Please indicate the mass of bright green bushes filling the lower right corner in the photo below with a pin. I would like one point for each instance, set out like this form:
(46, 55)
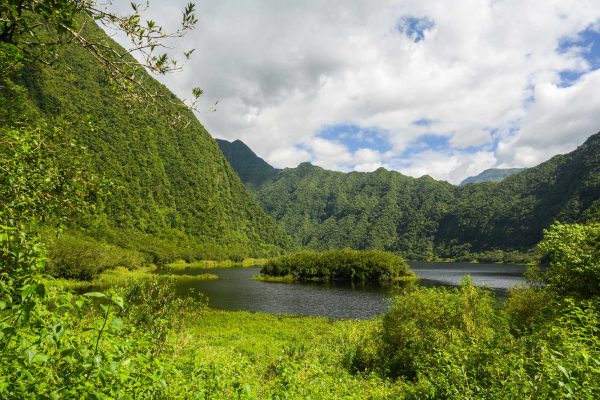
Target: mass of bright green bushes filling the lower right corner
(460, 343)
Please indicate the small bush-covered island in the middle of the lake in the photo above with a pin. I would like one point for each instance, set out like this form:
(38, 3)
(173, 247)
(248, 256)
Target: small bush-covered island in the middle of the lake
(352, 266)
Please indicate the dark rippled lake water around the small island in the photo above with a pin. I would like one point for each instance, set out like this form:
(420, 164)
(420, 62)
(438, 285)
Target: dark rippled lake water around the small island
(236, 291)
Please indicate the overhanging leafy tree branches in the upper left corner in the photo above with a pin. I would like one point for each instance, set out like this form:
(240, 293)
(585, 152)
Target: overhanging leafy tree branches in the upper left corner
(39, 27)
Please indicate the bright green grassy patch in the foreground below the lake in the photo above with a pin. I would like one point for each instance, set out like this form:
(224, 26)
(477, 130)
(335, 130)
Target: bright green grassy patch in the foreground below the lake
(264, 356)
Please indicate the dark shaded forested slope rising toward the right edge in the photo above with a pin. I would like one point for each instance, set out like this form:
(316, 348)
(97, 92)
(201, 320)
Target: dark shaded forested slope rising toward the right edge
(513, 213)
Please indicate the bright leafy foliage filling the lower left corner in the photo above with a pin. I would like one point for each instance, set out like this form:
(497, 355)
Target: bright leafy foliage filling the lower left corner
(57, 345)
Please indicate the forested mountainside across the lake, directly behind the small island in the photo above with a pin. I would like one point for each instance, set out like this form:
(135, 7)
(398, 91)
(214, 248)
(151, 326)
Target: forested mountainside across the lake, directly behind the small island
(381, 210)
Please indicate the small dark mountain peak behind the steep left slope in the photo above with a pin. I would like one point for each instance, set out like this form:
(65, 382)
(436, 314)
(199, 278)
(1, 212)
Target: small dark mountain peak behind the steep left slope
(251, 169)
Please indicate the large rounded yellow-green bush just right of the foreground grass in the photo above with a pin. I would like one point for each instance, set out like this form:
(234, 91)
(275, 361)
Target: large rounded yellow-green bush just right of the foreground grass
(426, 321)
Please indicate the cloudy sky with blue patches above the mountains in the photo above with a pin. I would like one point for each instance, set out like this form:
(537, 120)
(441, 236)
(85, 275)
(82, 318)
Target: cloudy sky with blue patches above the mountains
(442, 88)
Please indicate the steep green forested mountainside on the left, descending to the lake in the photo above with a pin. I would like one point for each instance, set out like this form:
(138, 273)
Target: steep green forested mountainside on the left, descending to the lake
(172, 191)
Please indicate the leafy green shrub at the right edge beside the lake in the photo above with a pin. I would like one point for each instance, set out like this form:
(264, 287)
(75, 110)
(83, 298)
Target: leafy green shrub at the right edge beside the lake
(573, 252)
